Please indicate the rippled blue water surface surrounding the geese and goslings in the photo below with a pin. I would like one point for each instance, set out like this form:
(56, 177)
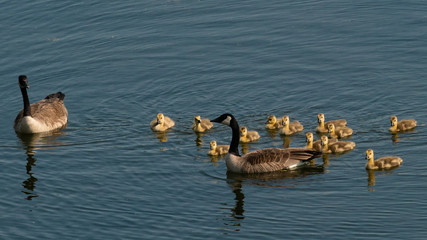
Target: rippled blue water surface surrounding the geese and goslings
(108, 176)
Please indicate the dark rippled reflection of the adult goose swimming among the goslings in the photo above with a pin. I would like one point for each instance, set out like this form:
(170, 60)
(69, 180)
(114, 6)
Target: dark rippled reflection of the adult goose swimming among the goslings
(273, 179)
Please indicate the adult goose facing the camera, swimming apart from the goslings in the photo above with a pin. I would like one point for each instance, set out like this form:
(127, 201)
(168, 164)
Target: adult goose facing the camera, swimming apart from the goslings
(45, 115)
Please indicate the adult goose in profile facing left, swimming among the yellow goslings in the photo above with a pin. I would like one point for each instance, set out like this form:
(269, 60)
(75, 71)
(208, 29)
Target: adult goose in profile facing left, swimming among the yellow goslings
(263, 160)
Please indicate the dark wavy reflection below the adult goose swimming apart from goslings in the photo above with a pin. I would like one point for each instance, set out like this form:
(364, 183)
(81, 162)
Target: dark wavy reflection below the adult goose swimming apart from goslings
(31, 143)
